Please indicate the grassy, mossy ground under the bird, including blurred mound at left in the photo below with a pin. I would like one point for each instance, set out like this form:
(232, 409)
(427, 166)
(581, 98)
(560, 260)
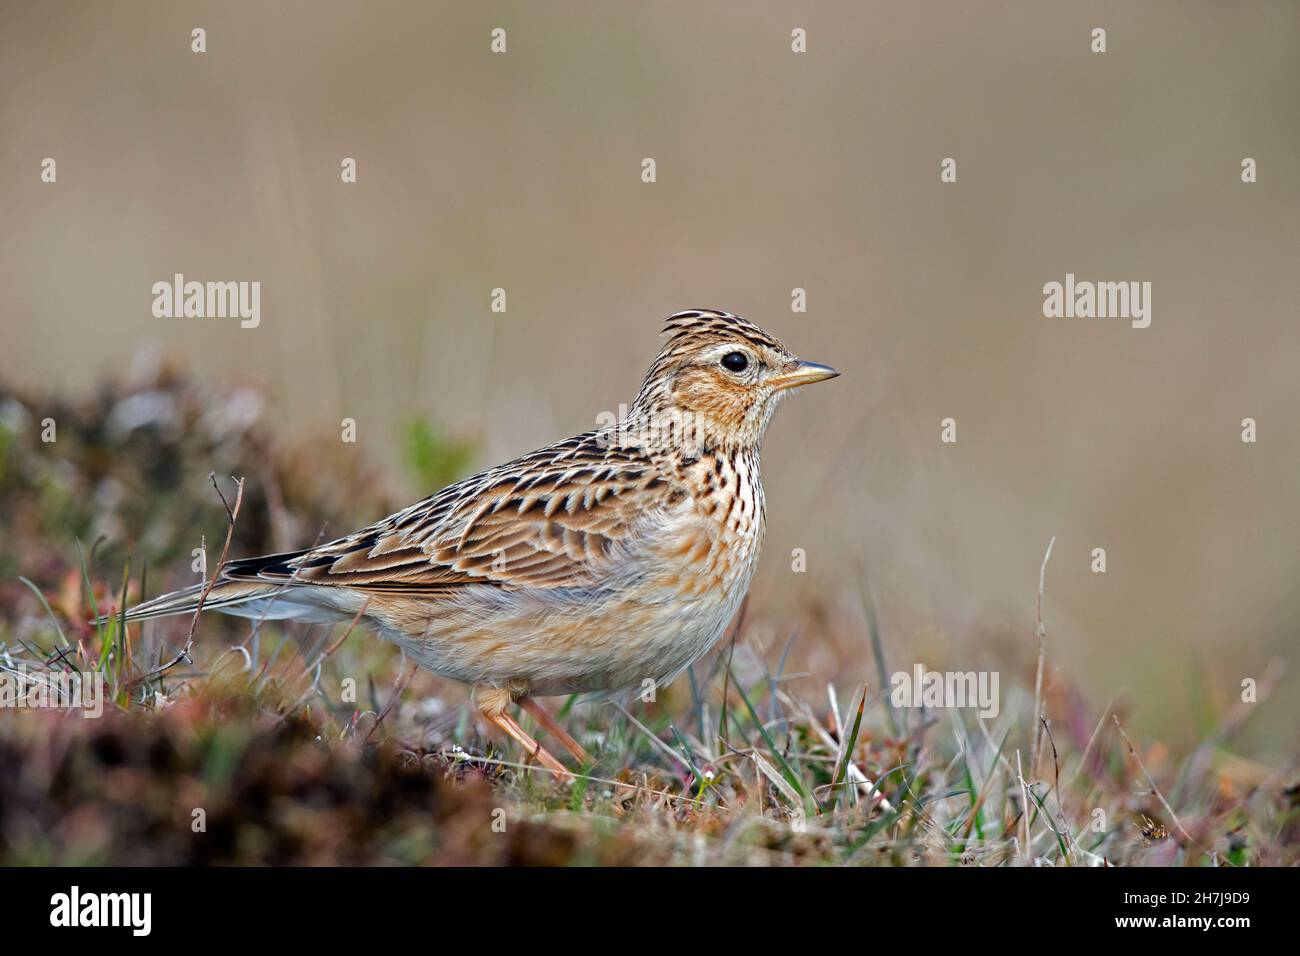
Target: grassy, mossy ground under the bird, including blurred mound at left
(298, 745)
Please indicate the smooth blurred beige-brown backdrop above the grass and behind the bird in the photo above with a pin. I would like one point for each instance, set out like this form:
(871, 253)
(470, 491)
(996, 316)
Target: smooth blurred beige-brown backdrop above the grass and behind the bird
(775, 171)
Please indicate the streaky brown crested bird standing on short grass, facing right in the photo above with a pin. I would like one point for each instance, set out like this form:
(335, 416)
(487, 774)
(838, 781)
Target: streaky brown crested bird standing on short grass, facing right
(600, 565)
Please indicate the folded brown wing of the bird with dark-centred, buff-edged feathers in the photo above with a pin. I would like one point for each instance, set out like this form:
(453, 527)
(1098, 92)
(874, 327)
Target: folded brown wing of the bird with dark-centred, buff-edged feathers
(557, 518)
